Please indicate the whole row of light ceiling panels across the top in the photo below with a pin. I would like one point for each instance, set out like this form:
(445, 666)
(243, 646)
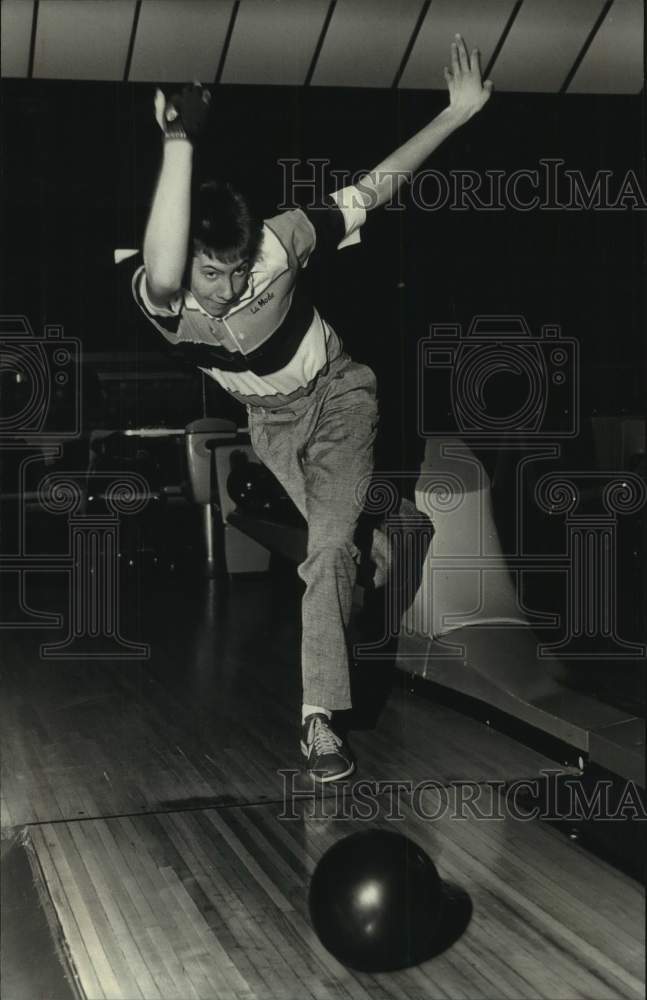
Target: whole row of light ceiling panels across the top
(273, 41)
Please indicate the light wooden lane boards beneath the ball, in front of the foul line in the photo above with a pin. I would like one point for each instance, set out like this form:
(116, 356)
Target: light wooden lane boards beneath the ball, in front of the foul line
(213, 903)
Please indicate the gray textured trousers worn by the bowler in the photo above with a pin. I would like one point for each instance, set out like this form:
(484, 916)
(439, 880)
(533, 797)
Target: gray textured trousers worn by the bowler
(321, 451)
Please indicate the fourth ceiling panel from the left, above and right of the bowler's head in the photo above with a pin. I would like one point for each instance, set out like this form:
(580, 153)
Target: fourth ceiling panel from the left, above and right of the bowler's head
(274, 41)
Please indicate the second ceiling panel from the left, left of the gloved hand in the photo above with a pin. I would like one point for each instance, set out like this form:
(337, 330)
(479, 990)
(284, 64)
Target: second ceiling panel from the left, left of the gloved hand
(83, 39)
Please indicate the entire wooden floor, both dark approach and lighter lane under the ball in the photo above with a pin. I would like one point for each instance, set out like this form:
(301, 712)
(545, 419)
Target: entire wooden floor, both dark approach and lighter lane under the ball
(153, 798)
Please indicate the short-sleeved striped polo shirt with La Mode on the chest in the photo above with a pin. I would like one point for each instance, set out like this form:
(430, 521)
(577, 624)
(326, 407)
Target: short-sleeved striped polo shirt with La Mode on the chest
(268, 349)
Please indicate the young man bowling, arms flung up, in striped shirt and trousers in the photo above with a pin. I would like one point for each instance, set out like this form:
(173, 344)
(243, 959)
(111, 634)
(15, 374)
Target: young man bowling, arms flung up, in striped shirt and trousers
(221, 287)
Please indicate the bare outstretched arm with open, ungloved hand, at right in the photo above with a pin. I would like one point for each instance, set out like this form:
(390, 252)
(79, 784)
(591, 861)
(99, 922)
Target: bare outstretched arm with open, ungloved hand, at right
(467, 95)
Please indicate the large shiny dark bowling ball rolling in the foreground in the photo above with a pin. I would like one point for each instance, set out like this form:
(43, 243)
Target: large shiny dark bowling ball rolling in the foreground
(377, 902)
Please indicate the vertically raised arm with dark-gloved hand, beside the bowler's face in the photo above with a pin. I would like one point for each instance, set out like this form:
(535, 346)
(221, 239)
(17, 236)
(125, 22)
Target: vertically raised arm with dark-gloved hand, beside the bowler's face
(167, 232)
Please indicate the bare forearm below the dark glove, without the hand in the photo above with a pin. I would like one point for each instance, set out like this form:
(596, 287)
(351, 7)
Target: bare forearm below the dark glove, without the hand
(167, 232)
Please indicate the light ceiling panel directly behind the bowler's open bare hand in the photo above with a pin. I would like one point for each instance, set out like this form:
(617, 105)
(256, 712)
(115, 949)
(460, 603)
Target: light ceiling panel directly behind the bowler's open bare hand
(481, 25)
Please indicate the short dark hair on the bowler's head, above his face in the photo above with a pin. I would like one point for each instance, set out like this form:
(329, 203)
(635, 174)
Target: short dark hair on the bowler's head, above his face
(224, 224)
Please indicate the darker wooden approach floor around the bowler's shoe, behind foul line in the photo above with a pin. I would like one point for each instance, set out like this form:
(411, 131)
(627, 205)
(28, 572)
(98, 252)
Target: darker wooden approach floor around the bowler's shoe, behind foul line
(210, 719)
